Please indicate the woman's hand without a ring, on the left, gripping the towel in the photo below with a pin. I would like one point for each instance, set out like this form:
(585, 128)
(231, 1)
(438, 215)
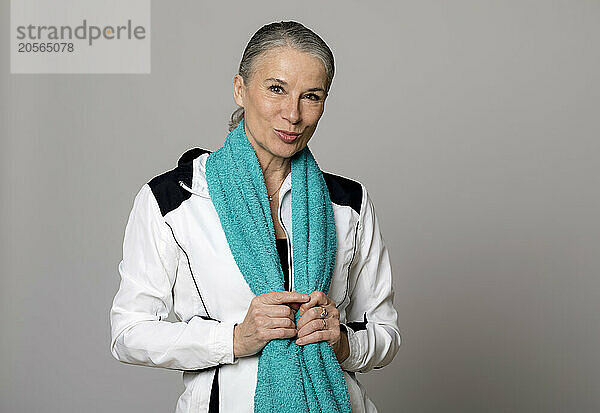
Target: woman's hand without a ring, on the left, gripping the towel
(268, 317)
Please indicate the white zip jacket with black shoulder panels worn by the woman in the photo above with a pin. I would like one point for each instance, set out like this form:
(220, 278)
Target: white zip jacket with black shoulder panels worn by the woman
(176, 256)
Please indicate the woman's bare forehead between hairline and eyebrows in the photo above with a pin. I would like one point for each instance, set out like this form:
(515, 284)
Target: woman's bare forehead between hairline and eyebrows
(291, 66)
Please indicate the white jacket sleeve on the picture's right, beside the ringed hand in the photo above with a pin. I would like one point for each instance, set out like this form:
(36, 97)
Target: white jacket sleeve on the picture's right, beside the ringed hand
(373, 334)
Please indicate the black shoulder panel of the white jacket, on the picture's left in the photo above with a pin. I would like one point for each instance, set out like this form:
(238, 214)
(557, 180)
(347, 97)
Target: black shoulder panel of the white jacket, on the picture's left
(165, 187)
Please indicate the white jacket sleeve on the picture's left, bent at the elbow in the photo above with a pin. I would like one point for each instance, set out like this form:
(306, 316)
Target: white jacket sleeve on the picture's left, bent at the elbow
(139, 334)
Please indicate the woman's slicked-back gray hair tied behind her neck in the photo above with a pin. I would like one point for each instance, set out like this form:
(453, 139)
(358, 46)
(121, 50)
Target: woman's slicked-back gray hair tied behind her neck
(277, 34)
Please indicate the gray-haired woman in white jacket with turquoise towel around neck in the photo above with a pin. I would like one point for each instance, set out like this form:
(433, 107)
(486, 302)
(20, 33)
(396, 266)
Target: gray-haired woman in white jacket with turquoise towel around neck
(275, 270)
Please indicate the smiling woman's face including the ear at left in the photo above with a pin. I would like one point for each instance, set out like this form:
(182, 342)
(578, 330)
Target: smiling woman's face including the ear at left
(286, 93)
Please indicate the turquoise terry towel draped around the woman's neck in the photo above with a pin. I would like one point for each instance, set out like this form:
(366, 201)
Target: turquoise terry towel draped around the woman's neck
(290, 378)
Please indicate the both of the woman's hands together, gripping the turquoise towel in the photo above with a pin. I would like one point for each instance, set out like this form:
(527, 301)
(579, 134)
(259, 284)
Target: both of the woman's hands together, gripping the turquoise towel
(272, 315)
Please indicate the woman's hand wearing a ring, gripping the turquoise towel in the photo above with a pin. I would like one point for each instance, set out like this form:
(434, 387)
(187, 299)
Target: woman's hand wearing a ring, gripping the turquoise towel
(312, 329)
